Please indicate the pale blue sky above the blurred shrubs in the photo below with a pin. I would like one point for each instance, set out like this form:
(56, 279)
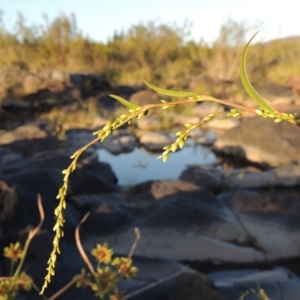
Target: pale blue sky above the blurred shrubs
(98, 19)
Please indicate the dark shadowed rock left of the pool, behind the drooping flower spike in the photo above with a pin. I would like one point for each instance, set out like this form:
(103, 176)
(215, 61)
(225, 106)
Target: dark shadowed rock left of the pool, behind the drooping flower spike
(42, 174)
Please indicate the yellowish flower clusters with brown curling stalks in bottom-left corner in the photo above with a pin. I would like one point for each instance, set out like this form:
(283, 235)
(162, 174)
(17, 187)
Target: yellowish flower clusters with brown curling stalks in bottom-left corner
(103, 281)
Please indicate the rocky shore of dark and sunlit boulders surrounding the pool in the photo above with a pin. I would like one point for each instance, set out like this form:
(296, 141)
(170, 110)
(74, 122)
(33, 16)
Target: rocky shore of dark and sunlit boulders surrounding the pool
(220, 230)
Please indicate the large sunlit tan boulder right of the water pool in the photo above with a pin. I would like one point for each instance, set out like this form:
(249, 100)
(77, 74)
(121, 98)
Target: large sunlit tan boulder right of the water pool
(262, 141)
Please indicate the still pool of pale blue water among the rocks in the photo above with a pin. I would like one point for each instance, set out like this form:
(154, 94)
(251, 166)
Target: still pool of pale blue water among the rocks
(140, 165)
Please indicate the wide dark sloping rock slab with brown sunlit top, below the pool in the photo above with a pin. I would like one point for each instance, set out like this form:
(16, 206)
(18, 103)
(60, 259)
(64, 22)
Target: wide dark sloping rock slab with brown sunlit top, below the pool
(177, 221)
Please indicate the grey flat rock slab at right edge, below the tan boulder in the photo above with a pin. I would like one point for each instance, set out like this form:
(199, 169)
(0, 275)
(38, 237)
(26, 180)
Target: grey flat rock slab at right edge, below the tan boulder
(273, 221)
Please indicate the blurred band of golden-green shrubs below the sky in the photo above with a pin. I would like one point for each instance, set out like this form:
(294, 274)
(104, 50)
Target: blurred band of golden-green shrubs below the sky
(164, 54)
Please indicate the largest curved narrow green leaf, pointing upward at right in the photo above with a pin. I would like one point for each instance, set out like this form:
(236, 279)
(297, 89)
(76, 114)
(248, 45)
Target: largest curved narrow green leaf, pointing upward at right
(247, 84)
